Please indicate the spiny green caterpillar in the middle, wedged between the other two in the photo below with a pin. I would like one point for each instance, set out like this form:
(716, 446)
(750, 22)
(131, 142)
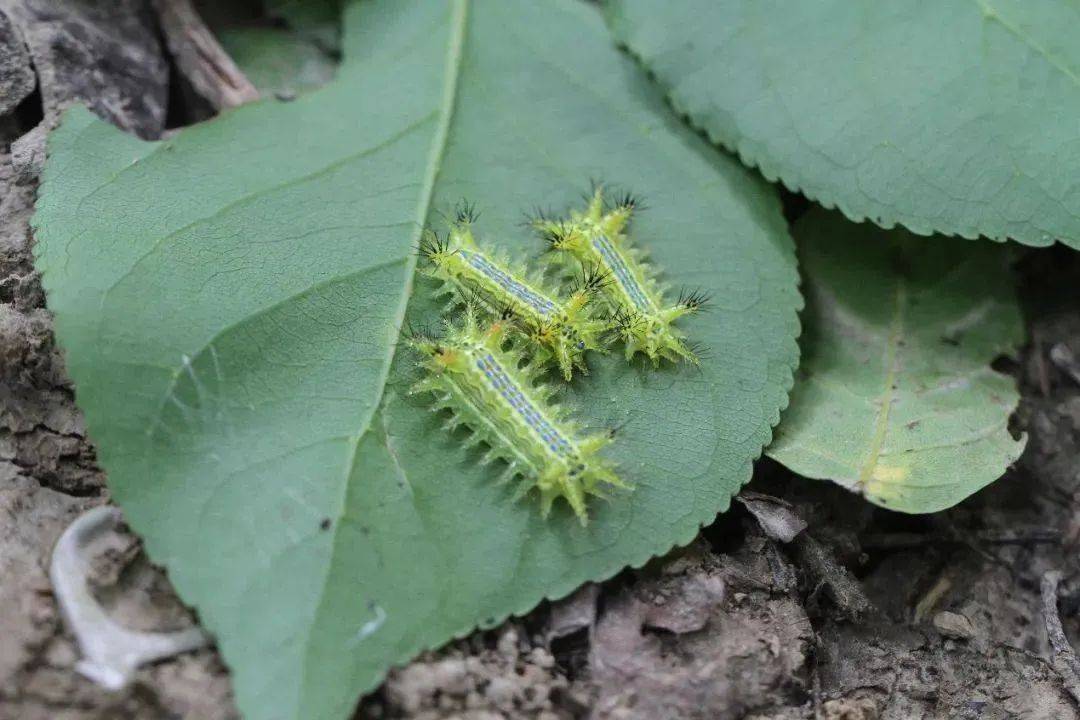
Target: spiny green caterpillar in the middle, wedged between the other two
(562, 330)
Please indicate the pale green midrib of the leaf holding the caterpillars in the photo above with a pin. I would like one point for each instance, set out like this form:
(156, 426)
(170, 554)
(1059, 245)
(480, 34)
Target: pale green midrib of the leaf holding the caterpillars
(454, 56)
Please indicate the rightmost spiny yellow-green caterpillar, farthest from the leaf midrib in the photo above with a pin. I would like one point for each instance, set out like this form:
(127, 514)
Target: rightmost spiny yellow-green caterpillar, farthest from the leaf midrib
(639, 313)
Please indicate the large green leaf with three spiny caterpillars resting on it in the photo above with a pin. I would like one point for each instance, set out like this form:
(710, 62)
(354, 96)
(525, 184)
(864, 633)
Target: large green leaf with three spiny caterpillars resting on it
(229, 301)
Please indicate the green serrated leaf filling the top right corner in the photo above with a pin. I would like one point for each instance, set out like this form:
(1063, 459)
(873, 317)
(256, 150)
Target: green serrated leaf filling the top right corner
(961, 117)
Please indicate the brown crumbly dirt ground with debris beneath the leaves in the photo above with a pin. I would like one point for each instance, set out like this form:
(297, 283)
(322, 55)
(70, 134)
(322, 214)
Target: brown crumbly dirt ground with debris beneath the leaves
(865, 615)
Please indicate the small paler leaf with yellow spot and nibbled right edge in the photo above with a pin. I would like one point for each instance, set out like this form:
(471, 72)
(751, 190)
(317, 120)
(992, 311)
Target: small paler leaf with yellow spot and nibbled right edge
(896, 398)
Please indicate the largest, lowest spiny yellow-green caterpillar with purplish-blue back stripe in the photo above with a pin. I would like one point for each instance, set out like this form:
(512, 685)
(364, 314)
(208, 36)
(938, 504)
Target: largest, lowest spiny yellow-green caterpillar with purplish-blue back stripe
(489, 391)
